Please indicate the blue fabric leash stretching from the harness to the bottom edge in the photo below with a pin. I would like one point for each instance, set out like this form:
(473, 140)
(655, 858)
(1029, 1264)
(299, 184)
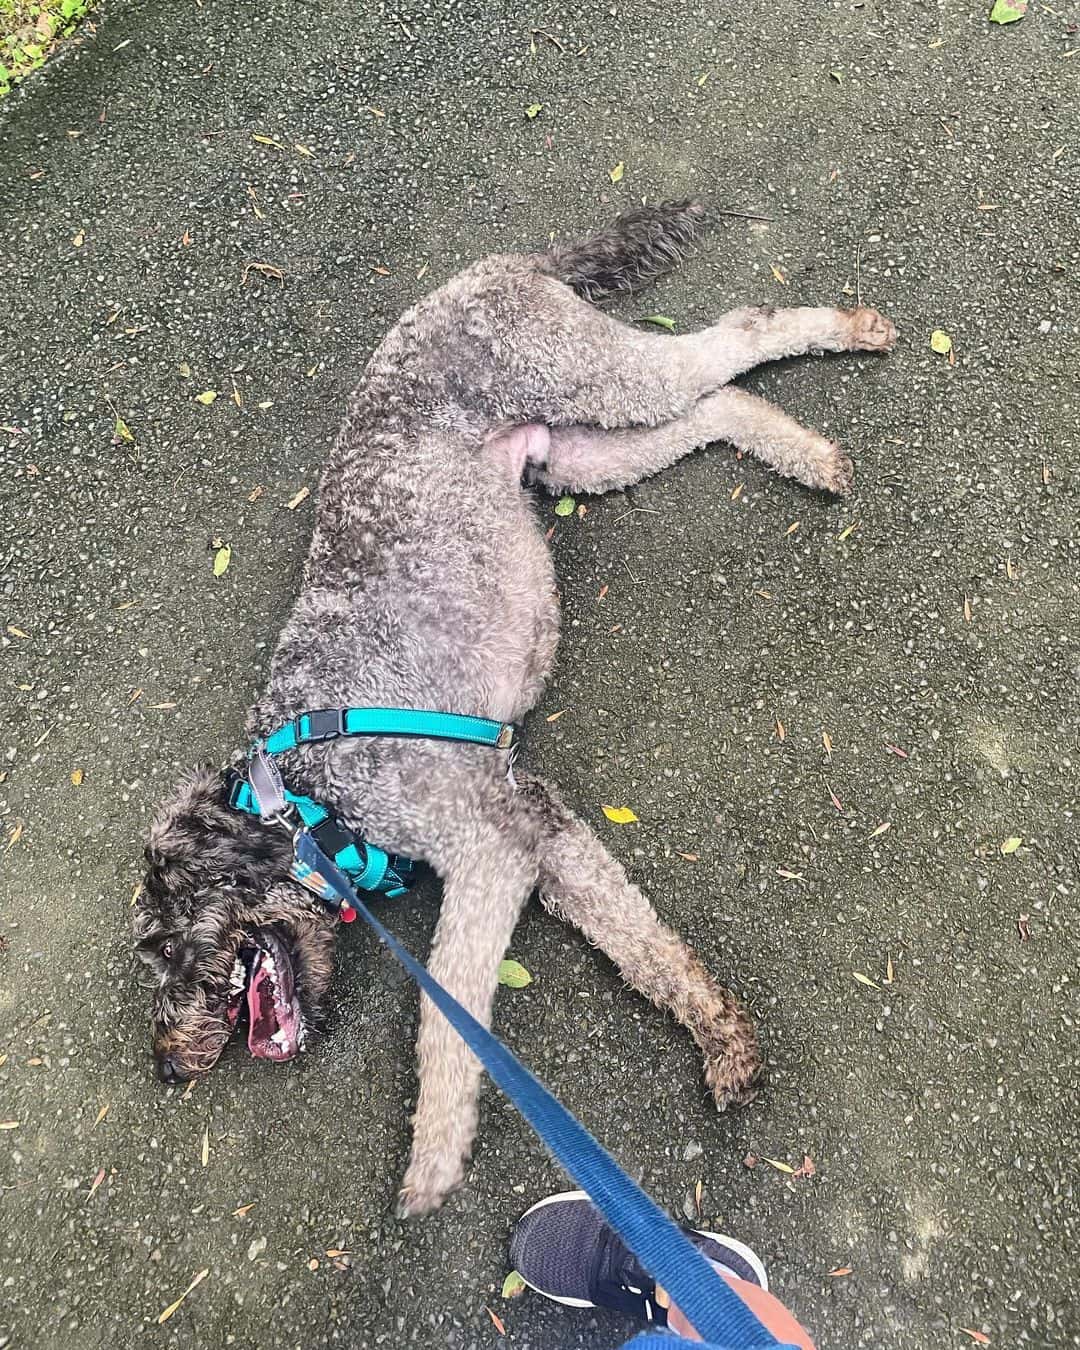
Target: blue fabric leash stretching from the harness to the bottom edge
(719, 1314)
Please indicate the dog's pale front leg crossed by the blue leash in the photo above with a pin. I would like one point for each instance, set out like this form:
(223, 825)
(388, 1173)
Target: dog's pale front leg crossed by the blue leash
(485, 889)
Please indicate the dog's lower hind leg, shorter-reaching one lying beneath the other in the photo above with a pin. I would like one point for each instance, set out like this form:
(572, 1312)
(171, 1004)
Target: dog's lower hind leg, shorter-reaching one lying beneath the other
(596, 461)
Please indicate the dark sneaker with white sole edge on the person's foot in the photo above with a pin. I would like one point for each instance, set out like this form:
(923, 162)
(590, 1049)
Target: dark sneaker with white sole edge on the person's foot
(564, 1249)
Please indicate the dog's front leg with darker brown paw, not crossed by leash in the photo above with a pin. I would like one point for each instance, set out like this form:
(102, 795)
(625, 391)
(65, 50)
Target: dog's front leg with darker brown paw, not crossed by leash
(583, 884)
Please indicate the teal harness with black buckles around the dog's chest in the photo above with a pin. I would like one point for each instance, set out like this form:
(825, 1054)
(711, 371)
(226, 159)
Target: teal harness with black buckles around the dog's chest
(369, 869)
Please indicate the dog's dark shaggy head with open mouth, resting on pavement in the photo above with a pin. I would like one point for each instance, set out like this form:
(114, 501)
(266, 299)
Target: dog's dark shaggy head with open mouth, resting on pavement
(226, 935)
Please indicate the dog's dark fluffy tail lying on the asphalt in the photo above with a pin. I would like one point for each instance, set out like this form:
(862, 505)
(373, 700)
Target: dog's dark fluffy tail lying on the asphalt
(631, 252)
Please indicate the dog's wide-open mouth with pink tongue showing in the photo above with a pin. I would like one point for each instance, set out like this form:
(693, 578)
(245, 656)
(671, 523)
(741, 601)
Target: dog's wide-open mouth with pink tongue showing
(263, 981)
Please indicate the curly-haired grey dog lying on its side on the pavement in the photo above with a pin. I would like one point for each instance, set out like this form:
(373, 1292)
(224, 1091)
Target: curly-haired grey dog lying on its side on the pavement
(410, 603)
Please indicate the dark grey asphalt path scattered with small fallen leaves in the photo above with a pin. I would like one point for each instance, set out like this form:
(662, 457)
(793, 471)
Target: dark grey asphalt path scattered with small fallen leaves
(241, 199)
